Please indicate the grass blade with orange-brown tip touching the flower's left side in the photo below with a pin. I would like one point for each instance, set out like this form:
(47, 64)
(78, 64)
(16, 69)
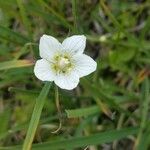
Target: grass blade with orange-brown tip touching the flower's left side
(15, 64)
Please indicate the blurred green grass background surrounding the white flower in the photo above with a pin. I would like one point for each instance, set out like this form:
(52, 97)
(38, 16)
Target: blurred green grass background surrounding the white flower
(110, 108)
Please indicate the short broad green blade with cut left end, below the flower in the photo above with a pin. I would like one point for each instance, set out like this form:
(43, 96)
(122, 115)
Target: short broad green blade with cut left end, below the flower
(82, 112)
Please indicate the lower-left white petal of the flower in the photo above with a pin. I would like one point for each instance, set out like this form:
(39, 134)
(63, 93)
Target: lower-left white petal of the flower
(42, 70)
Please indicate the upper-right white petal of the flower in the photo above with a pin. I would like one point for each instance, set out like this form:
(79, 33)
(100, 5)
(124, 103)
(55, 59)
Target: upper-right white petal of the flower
(74, 44)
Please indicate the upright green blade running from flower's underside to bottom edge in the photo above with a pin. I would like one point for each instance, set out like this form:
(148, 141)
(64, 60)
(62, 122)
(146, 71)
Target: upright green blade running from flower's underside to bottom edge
(36, 116)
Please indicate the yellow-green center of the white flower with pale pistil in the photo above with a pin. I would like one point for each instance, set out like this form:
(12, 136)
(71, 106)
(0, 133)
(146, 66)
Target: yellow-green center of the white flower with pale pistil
(62, 64)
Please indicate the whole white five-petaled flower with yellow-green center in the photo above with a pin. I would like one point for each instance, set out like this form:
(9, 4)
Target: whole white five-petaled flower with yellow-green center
(64, 63)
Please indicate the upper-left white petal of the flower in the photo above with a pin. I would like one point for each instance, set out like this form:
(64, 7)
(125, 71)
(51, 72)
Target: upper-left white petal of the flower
(48, 46)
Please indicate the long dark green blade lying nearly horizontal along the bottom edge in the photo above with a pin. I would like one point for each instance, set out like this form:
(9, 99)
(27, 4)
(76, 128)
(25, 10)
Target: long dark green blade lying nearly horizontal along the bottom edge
(76, 142)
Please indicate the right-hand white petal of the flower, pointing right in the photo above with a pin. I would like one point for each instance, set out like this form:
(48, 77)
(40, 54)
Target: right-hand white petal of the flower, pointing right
(84, 65)
